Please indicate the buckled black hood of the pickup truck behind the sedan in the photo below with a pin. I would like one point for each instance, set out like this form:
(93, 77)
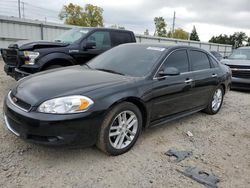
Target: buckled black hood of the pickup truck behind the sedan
(29, 45)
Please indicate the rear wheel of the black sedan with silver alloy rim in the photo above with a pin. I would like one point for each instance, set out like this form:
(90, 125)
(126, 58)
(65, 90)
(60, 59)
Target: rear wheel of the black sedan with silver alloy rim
(213, 107)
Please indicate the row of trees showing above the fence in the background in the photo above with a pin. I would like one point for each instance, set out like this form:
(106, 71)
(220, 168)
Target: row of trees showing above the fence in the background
(92, 16)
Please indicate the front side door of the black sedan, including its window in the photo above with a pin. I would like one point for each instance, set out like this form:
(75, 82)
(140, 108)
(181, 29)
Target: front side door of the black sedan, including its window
(173, 94)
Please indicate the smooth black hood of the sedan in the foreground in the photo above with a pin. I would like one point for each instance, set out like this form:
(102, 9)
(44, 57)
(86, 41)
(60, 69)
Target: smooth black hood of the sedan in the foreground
(75, 80)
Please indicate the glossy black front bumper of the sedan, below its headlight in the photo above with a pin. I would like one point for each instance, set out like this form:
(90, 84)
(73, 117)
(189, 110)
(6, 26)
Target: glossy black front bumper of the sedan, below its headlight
(50, 129)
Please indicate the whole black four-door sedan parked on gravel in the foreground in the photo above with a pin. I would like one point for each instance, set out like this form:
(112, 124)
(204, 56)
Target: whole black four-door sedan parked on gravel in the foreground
(109, 100)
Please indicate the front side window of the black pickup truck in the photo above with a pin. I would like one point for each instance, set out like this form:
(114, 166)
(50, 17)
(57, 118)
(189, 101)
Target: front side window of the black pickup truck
(101, 38)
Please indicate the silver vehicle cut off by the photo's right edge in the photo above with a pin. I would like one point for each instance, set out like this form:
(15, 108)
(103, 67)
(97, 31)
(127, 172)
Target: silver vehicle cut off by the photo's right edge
(239, 62)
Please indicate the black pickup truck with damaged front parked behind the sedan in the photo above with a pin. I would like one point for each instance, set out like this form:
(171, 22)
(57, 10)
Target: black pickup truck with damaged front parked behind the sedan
(76, 46)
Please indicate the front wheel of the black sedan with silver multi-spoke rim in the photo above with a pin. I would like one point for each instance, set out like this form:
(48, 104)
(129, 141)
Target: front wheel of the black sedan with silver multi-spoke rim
(109, 132)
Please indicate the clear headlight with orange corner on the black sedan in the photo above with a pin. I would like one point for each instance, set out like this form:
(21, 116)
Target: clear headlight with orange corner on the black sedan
(66, 105)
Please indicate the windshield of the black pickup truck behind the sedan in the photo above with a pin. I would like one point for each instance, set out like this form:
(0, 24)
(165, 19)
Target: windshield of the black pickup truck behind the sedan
(72, 35)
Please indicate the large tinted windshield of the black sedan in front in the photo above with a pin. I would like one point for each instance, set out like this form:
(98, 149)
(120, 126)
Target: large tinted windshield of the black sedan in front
(132, 60)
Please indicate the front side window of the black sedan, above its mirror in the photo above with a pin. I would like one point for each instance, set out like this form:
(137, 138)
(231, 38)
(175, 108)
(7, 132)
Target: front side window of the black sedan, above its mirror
(179, 60)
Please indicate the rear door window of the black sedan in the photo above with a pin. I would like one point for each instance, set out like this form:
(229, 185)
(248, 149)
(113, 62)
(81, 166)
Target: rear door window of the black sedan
(199, 60)
